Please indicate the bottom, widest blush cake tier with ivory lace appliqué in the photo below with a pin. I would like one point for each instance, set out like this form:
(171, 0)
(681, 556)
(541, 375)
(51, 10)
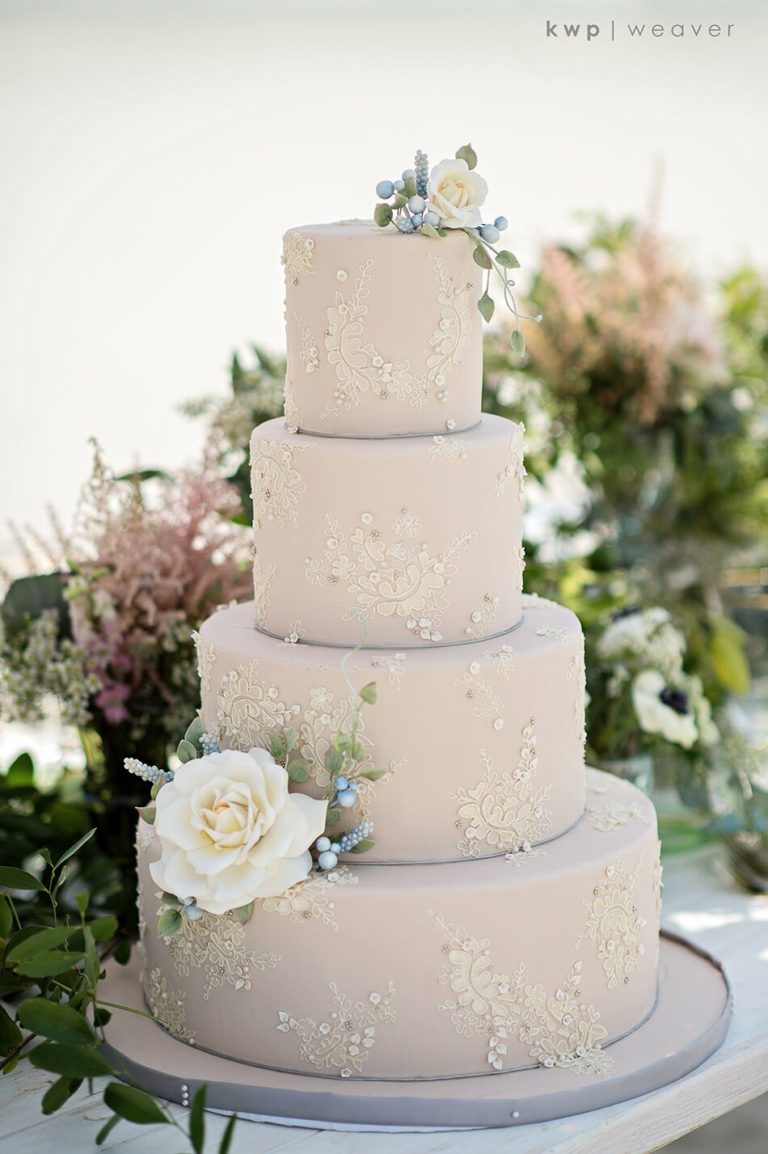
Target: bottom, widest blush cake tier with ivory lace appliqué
(397, 972)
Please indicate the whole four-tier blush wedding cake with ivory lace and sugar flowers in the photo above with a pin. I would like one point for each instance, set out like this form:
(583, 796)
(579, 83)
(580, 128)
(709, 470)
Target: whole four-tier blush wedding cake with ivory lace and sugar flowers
(506, 915)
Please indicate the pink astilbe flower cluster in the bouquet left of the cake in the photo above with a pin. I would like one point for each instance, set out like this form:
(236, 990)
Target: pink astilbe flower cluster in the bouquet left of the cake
(152, 559)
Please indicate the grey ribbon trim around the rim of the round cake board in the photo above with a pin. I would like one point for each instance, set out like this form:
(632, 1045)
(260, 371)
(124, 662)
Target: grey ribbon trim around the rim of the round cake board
(333, 1106)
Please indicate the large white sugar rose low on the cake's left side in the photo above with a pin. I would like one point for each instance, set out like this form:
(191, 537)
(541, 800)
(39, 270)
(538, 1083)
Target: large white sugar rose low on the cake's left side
(231, 833)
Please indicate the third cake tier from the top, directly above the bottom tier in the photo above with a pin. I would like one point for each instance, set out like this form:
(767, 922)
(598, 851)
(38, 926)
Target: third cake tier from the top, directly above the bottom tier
(483, 745)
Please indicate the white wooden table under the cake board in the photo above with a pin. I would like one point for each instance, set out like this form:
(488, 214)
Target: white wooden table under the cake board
(699, 902)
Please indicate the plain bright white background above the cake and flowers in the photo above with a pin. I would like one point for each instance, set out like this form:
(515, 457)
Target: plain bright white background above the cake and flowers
(153, 155)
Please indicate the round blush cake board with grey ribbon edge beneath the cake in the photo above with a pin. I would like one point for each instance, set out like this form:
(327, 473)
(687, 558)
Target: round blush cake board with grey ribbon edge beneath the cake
(687, 1028)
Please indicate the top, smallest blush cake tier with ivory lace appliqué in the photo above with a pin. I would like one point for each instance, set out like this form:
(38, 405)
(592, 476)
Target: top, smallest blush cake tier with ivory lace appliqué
(383, 333)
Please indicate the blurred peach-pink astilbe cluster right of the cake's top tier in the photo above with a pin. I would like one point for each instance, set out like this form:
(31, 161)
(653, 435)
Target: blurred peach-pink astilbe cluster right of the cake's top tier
(627, 327)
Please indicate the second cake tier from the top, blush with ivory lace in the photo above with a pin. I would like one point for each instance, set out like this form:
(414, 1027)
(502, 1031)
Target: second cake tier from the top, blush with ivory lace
(396, 543)
